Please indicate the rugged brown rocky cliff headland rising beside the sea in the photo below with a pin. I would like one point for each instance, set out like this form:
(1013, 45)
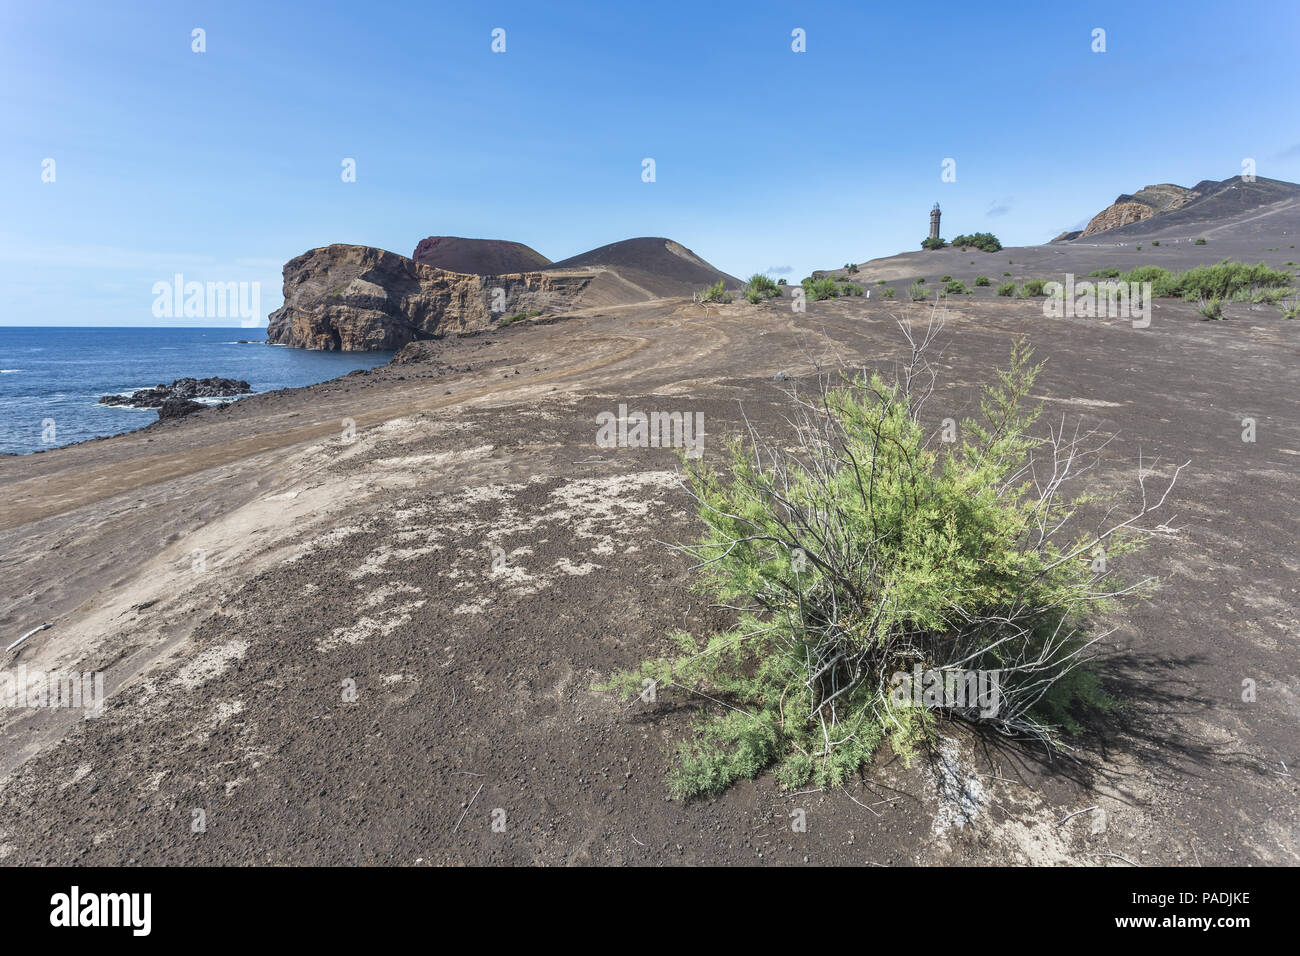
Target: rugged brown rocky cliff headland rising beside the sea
(358, 299)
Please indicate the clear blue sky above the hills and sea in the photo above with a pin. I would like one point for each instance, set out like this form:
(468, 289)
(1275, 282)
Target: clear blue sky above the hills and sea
(224, 165)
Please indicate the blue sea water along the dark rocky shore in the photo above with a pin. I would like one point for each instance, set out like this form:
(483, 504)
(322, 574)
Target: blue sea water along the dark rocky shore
(58, 375)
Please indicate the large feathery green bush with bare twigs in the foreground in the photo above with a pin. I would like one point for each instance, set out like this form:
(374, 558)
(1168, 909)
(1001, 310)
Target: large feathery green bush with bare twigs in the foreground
(865, 553)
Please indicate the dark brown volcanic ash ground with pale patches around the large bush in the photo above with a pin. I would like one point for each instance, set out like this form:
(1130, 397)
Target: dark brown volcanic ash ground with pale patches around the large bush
(328, 561)
